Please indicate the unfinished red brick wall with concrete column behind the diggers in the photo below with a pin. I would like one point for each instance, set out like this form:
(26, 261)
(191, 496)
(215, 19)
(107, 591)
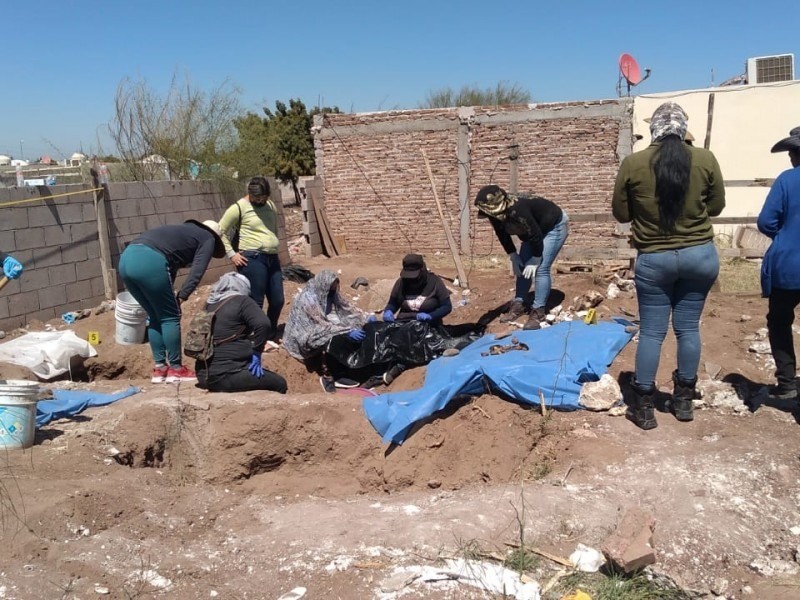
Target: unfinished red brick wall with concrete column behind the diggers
(378, 193)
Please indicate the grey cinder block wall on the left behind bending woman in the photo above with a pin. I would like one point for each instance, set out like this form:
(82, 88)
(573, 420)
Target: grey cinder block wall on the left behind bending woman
(57, 241)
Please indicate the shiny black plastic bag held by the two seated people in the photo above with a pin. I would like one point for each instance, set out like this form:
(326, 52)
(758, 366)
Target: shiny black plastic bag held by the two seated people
(411, 343)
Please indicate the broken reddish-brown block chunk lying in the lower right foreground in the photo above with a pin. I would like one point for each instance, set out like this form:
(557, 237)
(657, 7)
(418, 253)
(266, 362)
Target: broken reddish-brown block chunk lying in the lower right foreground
(630, 547)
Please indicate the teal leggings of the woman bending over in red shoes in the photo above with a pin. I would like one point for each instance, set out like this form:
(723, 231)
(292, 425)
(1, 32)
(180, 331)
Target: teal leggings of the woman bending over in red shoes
(146, 276)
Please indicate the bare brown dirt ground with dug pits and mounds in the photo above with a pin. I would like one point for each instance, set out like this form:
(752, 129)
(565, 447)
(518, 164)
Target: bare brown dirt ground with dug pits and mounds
(178, 493)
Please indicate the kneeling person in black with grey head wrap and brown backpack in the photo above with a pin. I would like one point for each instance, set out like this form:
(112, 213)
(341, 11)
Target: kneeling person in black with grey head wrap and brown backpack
(240, 331)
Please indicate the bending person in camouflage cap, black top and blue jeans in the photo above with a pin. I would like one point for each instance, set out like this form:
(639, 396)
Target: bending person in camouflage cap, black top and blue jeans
(543, 228)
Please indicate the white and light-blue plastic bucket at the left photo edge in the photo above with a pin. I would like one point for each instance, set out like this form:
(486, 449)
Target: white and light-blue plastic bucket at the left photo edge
(18, 399)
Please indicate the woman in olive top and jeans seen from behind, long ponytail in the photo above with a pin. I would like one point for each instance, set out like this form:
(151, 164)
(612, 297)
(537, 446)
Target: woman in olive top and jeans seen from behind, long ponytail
(667, 192)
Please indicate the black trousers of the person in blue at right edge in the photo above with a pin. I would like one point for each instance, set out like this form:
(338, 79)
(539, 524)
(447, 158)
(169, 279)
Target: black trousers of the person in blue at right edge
(782, 304)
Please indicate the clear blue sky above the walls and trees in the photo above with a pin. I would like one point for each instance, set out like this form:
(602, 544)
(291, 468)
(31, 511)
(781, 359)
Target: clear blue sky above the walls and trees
(64, 60)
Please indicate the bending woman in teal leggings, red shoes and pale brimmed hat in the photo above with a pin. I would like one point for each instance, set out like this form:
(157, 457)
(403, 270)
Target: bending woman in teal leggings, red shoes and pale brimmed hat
(148, 267)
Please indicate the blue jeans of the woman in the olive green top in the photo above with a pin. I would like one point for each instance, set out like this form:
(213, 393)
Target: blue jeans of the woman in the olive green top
(677, 282)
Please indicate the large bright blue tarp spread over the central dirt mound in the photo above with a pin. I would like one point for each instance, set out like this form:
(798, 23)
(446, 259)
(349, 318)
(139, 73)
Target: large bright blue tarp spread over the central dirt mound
(559, 360)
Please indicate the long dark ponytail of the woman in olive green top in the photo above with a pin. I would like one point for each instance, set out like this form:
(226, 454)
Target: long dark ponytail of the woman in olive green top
(672, 164)
